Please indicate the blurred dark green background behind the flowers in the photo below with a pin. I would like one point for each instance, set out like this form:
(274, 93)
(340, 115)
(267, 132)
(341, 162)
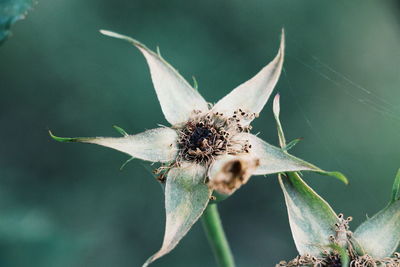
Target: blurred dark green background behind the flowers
(69, 205)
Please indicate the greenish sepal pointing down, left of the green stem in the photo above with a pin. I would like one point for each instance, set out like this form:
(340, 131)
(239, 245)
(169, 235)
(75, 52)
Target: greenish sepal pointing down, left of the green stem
(186, 197)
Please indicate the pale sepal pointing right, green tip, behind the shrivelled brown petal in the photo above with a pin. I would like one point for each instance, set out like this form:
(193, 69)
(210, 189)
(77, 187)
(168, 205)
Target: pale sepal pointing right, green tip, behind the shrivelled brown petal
(275, 160)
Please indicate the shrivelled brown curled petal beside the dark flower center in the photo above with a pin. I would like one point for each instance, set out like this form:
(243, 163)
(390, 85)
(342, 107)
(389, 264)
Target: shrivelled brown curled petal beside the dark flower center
(228, 172)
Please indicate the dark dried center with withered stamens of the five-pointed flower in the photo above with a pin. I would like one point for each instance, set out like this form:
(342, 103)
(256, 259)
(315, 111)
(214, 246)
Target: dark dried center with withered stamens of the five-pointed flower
(206, 136)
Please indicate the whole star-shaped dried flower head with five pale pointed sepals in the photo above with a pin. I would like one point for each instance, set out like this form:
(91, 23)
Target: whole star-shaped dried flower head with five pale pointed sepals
(207, 148)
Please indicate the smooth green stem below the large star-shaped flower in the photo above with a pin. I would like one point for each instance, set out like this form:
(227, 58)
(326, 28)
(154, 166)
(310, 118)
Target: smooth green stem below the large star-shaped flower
(216, 236)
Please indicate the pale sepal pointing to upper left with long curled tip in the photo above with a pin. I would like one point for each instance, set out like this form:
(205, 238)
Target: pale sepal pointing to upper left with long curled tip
(177, 98)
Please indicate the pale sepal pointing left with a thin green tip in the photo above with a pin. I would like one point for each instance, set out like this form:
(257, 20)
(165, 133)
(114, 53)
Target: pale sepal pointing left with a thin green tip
(158, 145)
